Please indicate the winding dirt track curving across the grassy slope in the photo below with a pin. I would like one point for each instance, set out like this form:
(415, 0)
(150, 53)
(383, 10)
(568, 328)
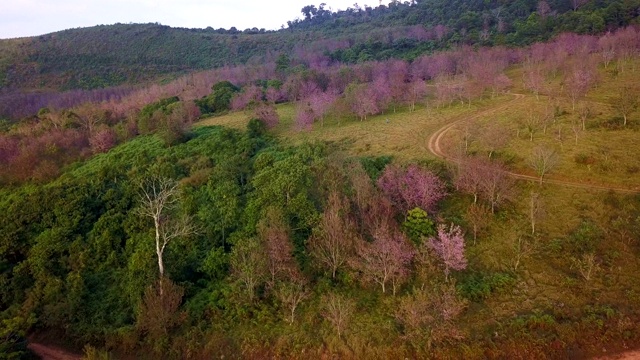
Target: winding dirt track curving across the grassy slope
(435, 148)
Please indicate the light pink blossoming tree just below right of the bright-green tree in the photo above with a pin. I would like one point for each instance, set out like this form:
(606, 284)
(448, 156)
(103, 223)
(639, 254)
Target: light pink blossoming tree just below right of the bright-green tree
(449, 246)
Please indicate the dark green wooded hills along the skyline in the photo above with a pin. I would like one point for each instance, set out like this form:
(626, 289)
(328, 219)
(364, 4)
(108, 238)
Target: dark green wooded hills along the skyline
(117, 54)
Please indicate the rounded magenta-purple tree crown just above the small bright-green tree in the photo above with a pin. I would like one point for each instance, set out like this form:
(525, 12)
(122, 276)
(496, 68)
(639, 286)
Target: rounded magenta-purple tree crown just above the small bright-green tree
(411, 188)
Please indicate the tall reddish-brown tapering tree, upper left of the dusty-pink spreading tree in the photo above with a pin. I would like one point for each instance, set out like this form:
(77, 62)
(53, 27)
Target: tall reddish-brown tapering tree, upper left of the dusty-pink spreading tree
(333, 243)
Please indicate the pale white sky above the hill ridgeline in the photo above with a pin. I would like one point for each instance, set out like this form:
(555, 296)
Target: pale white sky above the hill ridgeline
(21, 18)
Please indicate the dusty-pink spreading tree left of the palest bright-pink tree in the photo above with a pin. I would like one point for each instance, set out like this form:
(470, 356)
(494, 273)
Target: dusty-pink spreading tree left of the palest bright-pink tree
(386, 259)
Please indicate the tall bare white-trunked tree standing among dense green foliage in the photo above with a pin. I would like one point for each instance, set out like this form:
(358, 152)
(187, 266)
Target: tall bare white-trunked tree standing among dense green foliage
(158, 198)
